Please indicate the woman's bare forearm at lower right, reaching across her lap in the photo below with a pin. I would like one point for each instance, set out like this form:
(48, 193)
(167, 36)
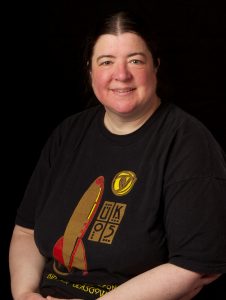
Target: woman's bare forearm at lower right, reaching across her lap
(165, 282)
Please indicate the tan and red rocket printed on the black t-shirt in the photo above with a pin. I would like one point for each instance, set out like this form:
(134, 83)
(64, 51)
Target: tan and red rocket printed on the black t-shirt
(69, 250)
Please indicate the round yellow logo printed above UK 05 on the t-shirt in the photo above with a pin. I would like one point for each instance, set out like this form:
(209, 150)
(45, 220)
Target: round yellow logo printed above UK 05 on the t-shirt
(123, 182)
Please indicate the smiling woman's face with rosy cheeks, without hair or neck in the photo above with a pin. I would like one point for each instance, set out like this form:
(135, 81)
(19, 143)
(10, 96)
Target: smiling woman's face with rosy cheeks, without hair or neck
(123, 75)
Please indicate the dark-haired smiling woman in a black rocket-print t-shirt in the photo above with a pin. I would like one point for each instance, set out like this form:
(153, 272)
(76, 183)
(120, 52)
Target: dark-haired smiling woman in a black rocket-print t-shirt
(128, 198)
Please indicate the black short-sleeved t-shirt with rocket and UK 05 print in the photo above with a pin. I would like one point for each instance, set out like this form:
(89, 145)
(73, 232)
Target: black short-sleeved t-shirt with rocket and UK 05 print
(107, 207)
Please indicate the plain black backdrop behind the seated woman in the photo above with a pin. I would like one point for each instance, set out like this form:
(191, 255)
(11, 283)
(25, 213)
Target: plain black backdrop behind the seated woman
(43, 82)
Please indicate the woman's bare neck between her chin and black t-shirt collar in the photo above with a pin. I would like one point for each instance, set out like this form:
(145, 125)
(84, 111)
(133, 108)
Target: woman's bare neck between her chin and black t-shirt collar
(125, 124)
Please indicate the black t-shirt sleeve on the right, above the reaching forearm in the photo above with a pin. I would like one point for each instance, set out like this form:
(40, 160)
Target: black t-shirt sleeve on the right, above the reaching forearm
(195, 202)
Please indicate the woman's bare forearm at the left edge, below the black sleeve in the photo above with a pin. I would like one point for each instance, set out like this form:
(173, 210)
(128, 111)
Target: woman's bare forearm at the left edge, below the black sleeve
(26, 265)
